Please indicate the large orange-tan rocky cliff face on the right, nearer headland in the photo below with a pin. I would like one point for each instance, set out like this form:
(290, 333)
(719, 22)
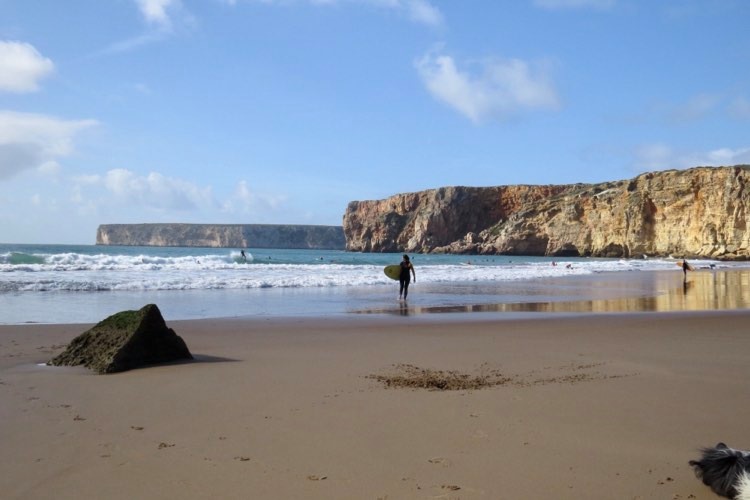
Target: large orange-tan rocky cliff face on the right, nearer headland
(700, 212)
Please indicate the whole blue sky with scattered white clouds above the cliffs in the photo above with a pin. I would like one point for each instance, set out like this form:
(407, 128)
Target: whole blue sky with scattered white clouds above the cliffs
(283, 111)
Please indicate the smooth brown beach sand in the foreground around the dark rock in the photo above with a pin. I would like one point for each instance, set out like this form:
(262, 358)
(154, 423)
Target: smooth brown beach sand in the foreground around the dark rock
(586, 407)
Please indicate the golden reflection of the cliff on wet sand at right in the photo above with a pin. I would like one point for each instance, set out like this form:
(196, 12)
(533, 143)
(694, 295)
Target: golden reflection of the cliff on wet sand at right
(704, 290)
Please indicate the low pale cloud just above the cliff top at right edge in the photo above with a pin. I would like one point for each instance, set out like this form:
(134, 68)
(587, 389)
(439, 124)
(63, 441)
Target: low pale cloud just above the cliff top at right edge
(661, 157)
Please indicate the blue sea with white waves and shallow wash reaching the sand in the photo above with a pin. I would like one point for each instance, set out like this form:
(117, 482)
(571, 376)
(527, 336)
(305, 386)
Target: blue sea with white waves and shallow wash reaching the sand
(86, 283)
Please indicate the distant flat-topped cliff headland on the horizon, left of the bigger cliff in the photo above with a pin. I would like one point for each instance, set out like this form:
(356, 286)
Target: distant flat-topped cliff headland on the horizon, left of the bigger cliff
(222, 235)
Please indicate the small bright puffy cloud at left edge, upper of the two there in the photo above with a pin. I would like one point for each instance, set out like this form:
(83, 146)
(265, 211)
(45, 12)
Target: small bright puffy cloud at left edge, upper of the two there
(21, 67)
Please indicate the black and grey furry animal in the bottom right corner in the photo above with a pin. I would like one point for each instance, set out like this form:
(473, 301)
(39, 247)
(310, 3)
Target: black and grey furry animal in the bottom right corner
(725, 470)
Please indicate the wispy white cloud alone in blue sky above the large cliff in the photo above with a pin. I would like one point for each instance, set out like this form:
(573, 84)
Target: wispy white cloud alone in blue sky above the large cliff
(497, 89)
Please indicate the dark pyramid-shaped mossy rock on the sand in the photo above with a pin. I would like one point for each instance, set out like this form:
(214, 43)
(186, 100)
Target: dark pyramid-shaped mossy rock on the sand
(123, 341)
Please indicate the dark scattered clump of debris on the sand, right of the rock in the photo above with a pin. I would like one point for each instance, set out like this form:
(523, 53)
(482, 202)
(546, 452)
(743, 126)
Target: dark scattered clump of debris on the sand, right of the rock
(414, 377)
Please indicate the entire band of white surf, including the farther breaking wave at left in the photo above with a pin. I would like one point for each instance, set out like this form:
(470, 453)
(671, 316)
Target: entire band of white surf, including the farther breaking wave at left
(77, 271)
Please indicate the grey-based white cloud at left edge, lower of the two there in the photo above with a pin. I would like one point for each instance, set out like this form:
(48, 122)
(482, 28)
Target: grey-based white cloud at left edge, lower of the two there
(32, 141)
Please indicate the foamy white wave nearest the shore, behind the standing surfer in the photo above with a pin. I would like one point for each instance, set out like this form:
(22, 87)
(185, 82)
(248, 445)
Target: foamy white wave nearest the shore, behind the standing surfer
(207, 276)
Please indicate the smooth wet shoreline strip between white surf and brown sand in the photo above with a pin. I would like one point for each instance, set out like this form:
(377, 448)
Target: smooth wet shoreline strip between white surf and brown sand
(706, 289)
